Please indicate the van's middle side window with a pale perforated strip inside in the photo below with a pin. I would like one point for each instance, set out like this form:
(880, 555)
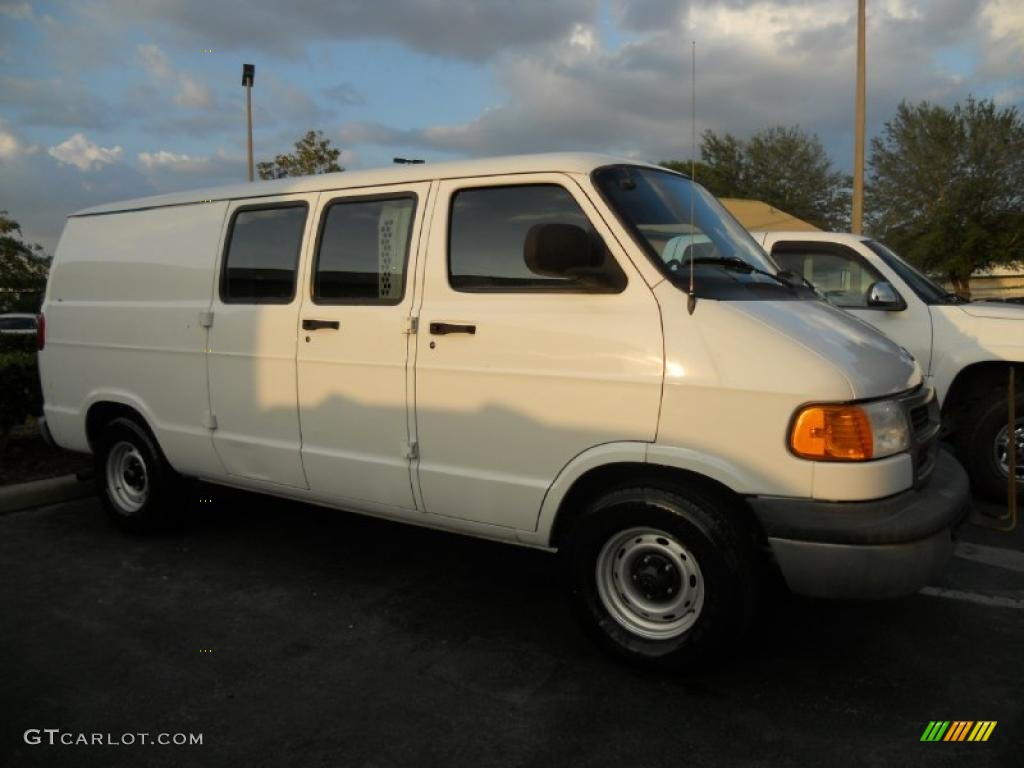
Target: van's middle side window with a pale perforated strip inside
(363, 251)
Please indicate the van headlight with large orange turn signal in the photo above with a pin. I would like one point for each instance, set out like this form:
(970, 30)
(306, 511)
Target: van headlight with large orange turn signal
(871, 431)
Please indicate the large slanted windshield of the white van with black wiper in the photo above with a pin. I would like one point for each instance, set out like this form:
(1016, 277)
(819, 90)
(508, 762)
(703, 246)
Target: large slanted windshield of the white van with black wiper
(657, 207)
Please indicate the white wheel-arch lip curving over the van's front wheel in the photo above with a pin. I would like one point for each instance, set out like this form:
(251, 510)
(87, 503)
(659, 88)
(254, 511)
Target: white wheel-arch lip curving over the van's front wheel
(627, 453)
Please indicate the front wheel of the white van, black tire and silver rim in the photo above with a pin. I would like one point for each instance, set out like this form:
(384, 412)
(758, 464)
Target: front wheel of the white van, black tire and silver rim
(661, 577)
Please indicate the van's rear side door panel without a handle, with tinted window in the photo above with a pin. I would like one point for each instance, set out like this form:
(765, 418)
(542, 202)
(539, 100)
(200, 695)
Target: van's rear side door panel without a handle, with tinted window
(253, 337)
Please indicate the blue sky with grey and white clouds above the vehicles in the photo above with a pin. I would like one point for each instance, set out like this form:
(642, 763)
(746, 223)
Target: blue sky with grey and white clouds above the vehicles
(107, 100)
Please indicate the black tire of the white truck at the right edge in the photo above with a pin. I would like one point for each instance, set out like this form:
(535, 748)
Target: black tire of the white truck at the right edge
(980, 425)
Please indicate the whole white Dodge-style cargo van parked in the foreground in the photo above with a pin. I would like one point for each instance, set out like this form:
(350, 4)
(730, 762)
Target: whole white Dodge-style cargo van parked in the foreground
(502, 349)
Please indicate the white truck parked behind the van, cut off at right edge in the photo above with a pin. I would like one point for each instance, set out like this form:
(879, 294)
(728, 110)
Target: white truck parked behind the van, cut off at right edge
(965, 348)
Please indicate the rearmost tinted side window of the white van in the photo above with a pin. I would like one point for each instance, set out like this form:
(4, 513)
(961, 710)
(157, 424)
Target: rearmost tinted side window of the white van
(264, 254)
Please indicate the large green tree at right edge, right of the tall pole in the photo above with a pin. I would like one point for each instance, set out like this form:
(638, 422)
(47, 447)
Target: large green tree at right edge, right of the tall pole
(948, 188)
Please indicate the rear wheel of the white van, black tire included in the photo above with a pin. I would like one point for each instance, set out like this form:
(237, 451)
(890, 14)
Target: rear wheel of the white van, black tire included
(138, 488)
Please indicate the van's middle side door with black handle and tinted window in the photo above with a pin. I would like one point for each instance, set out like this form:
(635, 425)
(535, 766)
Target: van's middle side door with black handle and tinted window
(356, 332)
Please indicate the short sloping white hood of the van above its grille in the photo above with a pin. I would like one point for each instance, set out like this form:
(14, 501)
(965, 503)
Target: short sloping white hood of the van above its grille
(872, 363)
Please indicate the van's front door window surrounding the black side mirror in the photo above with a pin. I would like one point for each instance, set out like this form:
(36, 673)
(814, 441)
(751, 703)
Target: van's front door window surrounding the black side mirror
(488, 239)
